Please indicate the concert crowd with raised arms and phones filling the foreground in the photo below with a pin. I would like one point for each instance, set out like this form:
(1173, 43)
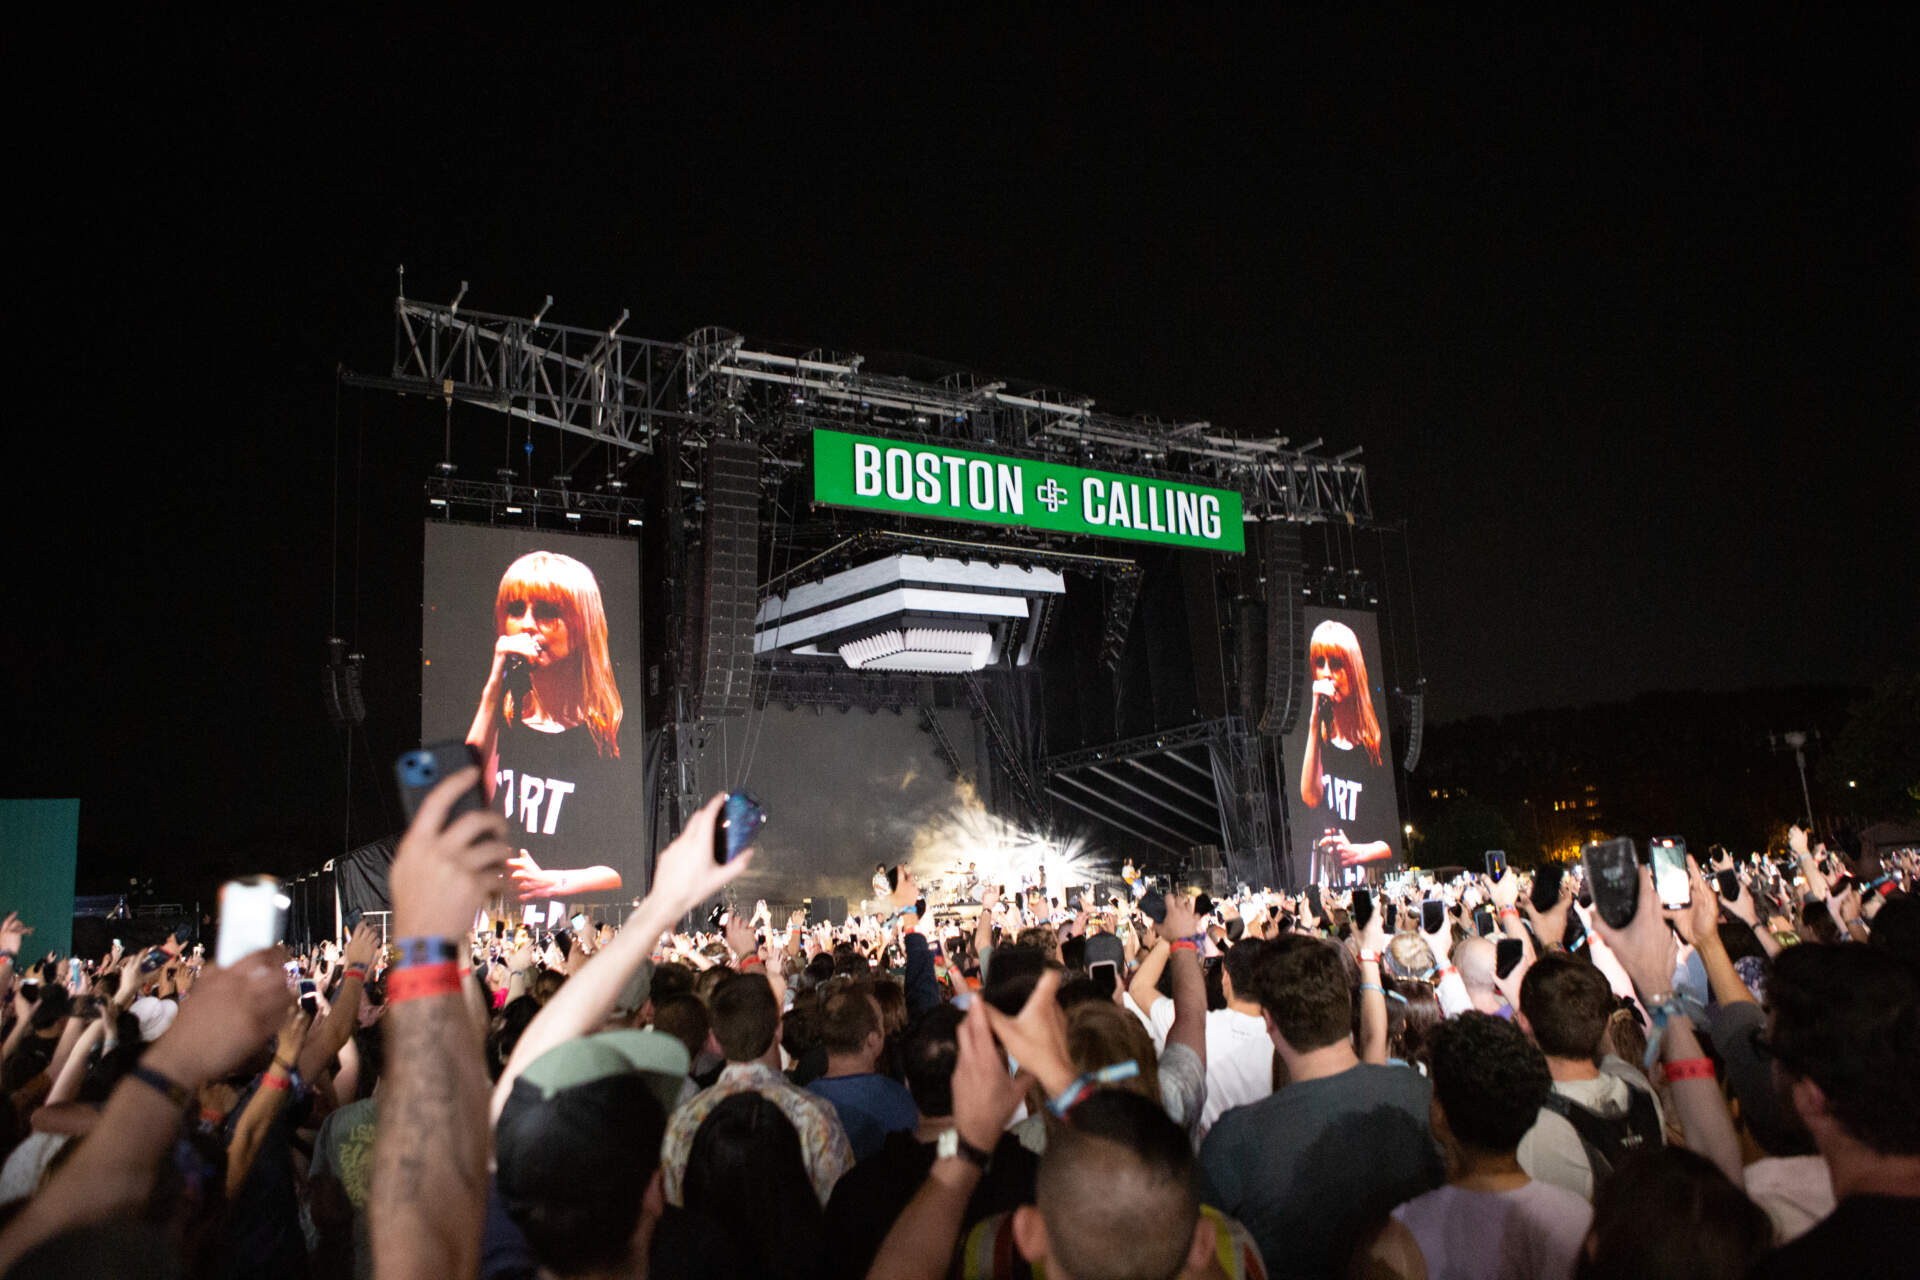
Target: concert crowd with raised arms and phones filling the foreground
(1464, 1078)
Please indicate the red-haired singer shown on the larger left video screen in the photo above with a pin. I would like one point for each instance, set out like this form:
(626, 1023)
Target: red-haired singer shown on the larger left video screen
(548, 724)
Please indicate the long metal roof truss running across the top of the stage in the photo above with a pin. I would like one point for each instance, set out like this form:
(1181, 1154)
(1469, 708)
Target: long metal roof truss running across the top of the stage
(625, 391)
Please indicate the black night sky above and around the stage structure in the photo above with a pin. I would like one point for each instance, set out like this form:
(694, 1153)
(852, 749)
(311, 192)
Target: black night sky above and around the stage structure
(1625, 318)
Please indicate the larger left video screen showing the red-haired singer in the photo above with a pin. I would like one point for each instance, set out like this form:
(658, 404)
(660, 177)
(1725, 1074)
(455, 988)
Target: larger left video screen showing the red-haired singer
(531, 652)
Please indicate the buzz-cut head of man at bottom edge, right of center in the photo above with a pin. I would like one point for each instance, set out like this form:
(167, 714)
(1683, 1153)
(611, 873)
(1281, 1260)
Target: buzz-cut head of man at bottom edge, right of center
(1116, 1193)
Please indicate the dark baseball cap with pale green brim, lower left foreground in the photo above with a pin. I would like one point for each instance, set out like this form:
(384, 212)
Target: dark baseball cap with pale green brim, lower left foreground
(598, 1095)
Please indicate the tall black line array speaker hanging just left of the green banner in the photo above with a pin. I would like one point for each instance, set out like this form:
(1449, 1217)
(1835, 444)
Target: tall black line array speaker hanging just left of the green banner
(731, 579)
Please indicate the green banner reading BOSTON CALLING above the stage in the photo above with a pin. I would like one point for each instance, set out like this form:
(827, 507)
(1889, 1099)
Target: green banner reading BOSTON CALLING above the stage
(957, 485)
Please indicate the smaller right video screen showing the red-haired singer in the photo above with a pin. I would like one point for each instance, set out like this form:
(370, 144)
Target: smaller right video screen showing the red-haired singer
(1339, 757)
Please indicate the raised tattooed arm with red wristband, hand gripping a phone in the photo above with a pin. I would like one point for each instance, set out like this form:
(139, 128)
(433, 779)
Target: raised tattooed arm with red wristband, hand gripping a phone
(429, 1179)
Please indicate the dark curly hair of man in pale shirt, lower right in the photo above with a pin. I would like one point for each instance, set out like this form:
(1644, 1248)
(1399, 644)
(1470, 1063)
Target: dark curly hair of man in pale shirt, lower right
(1489, 1079)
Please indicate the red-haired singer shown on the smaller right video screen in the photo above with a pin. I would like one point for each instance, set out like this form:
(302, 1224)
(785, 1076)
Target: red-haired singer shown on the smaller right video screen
(1343, 776)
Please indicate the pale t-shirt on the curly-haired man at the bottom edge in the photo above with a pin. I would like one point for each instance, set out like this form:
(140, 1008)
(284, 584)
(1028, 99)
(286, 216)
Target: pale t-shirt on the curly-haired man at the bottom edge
(1531, 1233)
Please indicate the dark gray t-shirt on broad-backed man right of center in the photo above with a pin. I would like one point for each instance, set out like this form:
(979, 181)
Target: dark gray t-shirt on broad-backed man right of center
(1322, 1162)
